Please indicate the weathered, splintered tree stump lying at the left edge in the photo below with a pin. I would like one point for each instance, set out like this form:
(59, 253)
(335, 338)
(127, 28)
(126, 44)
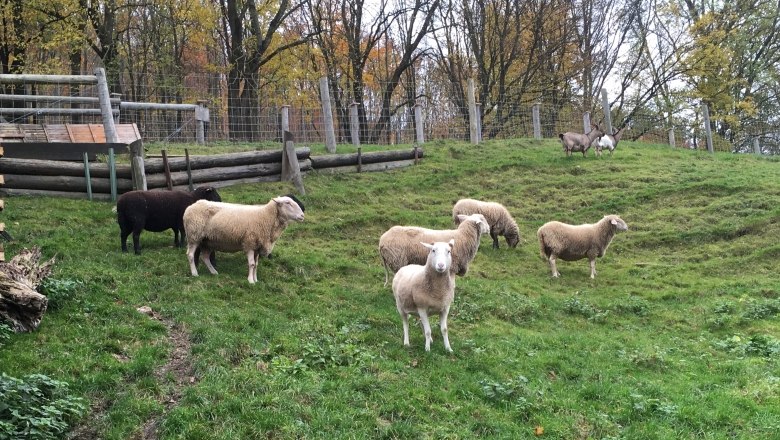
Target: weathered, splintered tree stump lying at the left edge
(21, 306)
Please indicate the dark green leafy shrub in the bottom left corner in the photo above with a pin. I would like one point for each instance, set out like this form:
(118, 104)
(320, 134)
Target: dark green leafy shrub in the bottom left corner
(36, 407)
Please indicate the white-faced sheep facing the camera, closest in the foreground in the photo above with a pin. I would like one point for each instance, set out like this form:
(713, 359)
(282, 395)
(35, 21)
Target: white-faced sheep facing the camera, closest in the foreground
(423, 290)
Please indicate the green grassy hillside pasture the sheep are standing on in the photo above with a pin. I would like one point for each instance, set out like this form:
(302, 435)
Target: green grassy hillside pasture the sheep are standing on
(677, 337)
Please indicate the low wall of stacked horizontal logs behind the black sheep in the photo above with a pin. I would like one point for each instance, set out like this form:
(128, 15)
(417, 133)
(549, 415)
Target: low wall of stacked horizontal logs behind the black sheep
(105, 180)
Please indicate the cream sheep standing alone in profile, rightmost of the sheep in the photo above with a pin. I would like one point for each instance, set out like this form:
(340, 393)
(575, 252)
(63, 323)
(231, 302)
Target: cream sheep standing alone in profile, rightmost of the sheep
(570, 242)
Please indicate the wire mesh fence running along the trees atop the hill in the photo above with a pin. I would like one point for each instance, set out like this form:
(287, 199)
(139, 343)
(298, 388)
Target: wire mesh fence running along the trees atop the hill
(261, 121)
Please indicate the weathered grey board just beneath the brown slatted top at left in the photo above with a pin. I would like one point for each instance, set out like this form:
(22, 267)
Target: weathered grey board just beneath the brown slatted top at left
(58, 150)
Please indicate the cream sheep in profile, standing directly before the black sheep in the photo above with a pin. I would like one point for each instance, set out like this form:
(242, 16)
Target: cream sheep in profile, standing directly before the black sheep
(230, 227)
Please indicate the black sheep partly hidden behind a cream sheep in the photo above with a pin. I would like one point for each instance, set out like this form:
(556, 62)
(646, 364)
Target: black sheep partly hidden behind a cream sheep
(157, 211)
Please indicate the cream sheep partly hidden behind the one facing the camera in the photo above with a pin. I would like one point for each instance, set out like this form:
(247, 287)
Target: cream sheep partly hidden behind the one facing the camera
(399, 246)
